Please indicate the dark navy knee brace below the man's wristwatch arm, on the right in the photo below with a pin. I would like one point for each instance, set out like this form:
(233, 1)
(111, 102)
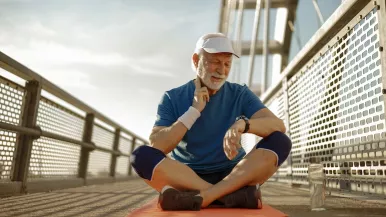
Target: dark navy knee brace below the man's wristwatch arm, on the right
(277, 142)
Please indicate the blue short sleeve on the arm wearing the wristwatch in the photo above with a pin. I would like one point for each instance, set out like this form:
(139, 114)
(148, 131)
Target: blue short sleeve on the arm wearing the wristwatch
(250, 103)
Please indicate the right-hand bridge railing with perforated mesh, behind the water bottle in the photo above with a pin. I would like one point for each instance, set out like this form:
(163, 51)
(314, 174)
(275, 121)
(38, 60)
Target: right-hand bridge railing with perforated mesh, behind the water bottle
(331, 96)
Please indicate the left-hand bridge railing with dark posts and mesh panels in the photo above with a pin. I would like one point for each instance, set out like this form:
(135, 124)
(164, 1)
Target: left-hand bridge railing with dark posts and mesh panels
(47, 144)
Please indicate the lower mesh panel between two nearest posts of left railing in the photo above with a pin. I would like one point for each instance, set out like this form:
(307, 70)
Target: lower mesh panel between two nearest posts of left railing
(53, 158)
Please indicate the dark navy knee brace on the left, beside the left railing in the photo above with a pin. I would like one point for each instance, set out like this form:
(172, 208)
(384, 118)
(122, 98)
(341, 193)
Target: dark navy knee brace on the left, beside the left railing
(145, 159)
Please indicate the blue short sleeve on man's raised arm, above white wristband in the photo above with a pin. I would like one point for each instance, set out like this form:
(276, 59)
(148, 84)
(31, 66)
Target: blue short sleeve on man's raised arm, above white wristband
(165, 114)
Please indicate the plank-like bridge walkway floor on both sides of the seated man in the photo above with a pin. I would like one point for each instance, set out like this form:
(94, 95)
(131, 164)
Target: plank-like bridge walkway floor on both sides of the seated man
(119, 199)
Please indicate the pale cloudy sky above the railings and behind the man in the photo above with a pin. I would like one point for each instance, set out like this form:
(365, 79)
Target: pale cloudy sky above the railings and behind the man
(120, 56)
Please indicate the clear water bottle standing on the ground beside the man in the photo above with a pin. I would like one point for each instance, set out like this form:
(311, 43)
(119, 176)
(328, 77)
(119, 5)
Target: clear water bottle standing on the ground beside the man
(317, 182)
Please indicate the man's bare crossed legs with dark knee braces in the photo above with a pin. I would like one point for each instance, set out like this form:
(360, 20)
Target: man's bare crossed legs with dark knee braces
(255, 168)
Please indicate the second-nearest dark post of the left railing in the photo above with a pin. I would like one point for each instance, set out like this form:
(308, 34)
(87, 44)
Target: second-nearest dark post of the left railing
(85, 152)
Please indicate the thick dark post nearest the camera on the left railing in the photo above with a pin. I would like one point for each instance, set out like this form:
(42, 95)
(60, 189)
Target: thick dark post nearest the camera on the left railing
(24, 142)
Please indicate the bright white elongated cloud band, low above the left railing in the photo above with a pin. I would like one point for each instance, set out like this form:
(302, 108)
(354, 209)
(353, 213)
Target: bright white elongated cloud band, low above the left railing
(54, 54)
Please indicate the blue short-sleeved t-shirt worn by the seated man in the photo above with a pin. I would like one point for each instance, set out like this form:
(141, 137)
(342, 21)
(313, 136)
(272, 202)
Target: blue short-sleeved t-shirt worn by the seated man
(202, 146)
